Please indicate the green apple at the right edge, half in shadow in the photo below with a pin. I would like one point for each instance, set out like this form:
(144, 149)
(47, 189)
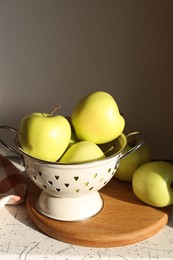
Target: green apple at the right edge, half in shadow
(153, 183)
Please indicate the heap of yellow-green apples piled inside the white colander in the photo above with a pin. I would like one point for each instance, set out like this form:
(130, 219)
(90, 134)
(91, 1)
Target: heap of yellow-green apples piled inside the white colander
(95, 120)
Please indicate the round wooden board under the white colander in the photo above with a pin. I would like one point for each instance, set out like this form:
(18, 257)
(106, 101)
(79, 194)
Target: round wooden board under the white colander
(123, 220)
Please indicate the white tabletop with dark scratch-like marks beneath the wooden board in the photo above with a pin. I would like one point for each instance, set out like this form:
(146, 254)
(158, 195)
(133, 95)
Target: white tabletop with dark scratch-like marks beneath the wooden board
(21, 240)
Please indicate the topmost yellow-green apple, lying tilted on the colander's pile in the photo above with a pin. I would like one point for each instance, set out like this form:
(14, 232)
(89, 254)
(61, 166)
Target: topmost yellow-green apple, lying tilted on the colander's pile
(96, 118)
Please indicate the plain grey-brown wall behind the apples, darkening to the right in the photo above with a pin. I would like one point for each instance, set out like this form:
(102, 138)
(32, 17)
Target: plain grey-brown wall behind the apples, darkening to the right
(55, 52)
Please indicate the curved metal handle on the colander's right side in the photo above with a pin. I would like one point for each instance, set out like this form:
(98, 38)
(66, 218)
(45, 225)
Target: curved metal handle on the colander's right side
(140, 137)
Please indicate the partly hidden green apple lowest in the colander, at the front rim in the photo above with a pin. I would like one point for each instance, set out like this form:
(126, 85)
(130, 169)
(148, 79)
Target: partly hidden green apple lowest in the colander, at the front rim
(82, 151)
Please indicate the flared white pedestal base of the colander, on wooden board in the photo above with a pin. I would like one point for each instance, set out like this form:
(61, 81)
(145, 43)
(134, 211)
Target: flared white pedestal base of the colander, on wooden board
(70, 209)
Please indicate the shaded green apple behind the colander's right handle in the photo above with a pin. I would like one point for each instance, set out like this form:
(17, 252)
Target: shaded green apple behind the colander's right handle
(129, 164)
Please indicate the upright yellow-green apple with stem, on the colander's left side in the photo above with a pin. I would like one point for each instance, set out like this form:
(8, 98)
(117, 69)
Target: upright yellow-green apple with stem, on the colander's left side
(43, 136)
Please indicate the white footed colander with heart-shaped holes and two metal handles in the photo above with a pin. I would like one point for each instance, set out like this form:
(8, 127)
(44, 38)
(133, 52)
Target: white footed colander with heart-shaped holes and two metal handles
(70, 192)
